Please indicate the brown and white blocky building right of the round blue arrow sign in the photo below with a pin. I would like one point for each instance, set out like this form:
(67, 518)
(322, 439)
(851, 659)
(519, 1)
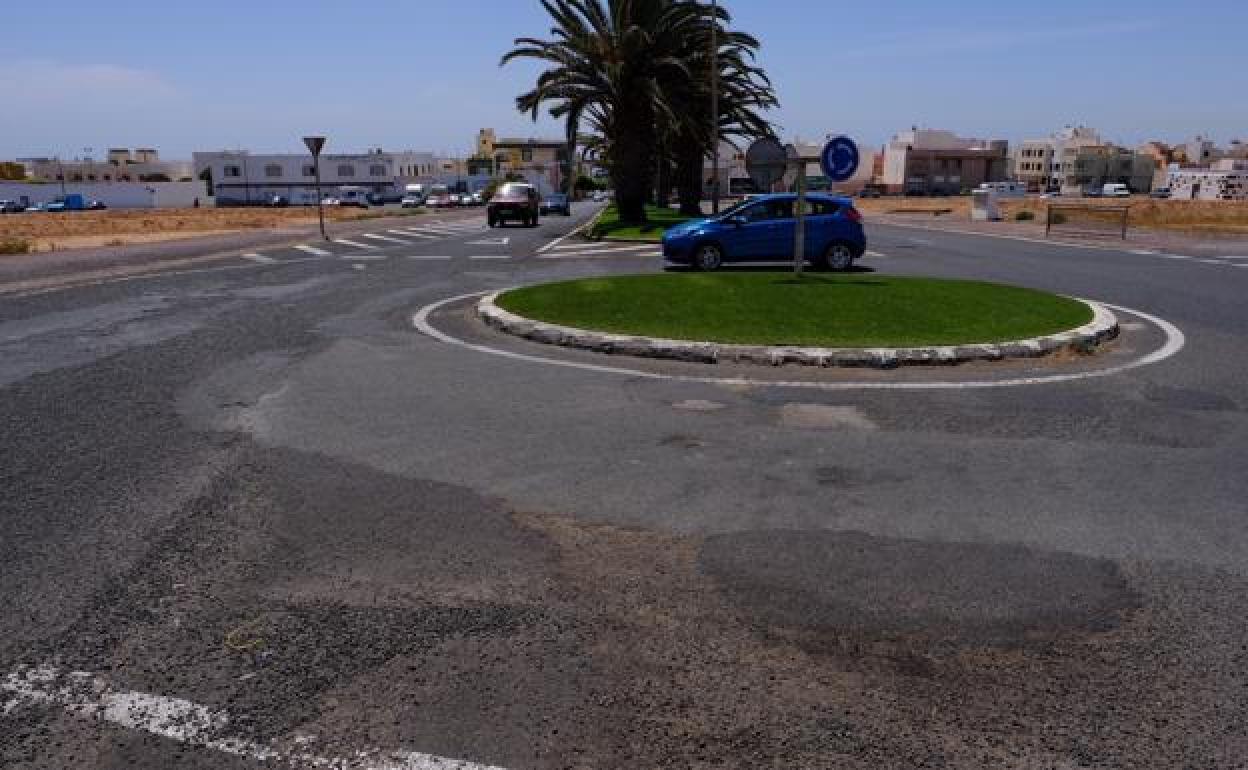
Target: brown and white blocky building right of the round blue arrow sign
(928, 162)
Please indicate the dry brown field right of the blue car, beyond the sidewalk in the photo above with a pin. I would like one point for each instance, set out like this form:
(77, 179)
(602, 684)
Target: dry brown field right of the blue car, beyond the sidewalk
(1212, 218)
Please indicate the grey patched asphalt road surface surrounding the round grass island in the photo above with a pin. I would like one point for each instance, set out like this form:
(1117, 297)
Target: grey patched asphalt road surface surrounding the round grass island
(266, 517)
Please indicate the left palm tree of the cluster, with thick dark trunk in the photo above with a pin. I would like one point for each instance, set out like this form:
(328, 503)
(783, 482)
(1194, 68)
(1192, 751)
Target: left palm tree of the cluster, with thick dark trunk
(612, 64)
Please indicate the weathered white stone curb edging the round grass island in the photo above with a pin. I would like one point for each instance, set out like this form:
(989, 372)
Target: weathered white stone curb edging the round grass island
(1103, 328)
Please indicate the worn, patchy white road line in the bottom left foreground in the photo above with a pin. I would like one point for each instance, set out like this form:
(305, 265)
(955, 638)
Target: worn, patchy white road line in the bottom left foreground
(93, 698)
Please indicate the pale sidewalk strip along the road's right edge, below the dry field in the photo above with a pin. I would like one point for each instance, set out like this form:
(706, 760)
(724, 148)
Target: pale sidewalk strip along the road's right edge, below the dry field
(1138, 238)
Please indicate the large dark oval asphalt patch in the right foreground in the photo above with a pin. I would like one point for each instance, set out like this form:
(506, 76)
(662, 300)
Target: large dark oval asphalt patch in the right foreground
(870, 587)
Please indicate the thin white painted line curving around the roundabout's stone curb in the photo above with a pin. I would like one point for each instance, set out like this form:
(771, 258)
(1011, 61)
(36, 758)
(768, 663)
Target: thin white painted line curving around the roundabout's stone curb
(1174, 345)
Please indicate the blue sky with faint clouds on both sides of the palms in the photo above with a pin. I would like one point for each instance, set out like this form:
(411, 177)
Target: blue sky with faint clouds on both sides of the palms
(424, 74)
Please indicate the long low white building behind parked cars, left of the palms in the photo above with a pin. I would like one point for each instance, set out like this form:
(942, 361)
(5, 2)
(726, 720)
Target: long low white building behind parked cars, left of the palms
(239, 178)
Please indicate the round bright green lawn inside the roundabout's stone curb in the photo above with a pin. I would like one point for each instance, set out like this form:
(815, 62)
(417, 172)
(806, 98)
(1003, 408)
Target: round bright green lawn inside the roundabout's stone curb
(819, 310)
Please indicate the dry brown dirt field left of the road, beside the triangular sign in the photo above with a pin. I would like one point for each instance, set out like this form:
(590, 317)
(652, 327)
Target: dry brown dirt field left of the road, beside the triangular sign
(119, 228)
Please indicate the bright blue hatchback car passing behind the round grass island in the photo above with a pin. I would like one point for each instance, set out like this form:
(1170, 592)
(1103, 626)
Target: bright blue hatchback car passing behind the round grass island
(763, 229)
